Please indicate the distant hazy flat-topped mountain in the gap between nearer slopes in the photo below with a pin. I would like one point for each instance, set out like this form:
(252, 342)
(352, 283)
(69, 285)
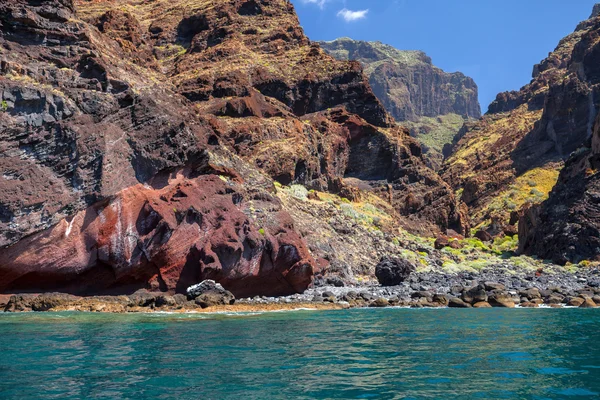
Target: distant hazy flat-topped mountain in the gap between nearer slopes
(432, 103)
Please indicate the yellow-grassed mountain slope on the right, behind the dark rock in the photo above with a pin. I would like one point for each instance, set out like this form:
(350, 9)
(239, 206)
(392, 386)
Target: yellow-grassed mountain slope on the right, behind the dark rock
(512, 158)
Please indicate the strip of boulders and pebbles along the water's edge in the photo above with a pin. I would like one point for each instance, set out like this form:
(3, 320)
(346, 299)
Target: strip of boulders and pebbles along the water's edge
(463, 290)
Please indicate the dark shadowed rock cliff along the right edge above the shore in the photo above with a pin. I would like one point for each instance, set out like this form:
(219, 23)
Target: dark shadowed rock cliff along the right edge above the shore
(566, 227)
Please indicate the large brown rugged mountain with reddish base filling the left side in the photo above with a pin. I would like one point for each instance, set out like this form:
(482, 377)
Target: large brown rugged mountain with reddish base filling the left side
(139, 143)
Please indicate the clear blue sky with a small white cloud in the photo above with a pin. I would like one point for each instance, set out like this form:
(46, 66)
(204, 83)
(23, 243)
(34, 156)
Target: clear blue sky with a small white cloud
(497, 43)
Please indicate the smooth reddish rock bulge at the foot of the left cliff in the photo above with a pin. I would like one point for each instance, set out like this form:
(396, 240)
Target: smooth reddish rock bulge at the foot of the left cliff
(166, 239)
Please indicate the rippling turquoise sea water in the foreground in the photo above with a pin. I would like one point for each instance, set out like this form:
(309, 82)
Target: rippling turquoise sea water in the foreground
(355, 354)
